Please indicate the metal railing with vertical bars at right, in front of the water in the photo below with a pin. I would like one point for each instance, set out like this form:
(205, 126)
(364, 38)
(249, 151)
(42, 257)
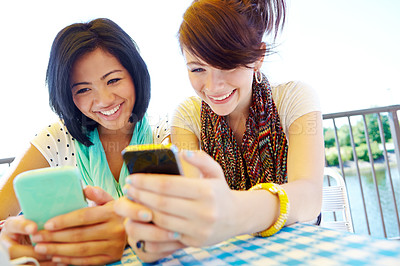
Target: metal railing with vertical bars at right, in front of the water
(391, 113)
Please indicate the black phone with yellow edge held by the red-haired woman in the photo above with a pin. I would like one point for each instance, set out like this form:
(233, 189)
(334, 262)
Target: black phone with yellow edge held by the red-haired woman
(152, 158)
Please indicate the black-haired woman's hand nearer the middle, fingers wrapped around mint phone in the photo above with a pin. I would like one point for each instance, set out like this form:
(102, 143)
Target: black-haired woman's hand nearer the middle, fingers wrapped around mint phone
(93, 235)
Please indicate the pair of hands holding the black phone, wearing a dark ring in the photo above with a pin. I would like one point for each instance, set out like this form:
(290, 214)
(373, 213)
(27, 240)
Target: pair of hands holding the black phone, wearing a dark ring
(185, 211)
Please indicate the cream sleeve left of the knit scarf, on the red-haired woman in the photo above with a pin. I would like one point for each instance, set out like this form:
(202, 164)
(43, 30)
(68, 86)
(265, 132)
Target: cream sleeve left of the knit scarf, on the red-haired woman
(187, 115)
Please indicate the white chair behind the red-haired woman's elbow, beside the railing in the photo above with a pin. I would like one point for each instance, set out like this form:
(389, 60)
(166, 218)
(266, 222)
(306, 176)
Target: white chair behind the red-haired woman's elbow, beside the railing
(335, 204)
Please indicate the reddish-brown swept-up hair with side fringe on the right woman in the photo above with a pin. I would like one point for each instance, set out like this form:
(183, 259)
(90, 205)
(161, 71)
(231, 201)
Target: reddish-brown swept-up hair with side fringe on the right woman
(228, 33)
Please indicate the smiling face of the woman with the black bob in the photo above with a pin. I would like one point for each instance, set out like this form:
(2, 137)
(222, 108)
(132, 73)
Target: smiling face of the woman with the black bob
(103, 90)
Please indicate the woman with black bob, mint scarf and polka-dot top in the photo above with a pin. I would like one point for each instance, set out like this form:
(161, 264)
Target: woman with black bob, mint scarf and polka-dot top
(99, 86)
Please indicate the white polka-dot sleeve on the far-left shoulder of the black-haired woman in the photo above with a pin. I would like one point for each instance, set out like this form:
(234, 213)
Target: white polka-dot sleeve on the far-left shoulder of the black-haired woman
(56, 145)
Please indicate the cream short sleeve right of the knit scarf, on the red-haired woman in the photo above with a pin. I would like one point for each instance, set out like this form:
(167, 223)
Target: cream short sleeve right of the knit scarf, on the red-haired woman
(293, 100)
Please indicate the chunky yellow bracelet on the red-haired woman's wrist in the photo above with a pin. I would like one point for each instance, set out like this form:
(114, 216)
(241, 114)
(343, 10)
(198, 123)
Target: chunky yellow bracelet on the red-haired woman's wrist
(283, 209)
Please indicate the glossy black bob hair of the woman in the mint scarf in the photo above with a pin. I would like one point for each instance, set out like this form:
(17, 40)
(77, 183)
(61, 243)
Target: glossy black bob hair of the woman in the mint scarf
(76, 40)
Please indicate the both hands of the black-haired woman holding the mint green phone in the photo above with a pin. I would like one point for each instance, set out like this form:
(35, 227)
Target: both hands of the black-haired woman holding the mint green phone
(93, 235)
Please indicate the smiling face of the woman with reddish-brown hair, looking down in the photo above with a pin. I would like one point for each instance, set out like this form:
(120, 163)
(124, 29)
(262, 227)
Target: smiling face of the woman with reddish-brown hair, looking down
(227, 92)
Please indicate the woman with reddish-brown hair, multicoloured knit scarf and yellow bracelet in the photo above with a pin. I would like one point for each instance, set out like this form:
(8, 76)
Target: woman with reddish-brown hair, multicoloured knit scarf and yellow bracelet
(261, 146)
